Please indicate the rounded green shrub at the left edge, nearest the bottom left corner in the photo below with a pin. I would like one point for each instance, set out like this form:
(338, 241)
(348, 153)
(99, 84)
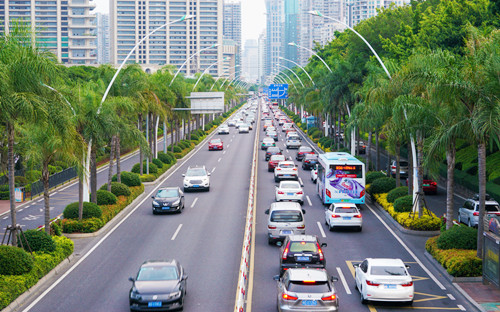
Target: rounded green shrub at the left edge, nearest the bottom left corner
(14, 261)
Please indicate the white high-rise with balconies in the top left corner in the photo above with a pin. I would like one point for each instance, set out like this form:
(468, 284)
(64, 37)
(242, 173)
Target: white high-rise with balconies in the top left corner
(66, 28)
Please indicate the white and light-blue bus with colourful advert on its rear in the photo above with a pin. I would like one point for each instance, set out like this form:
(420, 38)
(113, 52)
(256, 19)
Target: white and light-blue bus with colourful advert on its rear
(341, 179)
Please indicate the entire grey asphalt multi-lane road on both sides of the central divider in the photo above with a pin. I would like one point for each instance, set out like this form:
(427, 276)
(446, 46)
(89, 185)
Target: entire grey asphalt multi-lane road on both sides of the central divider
(207, 238)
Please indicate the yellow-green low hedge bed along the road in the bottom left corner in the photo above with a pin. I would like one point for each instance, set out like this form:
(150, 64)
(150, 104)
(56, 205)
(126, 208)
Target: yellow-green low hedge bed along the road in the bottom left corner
(12, 286)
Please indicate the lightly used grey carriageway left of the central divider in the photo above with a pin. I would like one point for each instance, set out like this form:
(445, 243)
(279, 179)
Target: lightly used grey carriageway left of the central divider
(206, 239)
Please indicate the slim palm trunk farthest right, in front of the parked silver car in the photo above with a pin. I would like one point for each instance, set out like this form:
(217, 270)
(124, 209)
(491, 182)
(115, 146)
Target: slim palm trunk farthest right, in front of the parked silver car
(481, 168)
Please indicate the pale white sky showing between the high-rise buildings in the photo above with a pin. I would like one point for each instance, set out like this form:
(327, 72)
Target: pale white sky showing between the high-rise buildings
(252, 14)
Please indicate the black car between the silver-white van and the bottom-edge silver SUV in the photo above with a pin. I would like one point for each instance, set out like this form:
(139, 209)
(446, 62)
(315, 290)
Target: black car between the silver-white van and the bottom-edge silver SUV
(301, 251)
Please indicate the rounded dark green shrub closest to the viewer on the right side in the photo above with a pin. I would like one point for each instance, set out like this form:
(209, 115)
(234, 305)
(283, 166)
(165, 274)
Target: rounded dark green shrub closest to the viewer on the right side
(458, 237)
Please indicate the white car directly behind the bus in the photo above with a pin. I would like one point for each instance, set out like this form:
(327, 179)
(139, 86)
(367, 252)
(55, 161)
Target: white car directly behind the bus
(343, 215)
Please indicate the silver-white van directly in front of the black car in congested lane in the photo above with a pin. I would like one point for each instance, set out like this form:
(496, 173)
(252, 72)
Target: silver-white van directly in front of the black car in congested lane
(285, 218)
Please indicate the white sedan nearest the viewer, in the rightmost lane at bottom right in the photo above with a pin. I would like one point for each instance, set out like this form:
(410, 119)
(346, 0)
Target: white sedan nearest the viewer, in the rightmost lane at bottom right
(384, 280)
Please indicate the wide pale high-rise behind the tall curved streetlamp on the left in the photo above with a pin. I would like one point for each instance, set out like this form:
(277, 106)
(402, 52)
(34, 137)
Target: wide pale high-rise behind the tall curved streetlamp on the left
(132, 20)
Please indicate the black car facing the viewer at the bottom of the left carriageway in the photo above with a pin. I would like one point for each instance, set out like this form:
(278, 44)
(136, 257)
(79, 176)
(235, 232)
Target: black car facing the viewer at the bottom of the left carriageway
(160, 285)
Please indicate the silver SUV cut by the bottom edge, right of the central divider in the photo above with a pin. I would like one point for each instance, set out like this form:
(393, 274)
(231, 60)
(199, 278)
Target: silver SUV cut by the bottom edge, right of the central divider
(306, 290)
